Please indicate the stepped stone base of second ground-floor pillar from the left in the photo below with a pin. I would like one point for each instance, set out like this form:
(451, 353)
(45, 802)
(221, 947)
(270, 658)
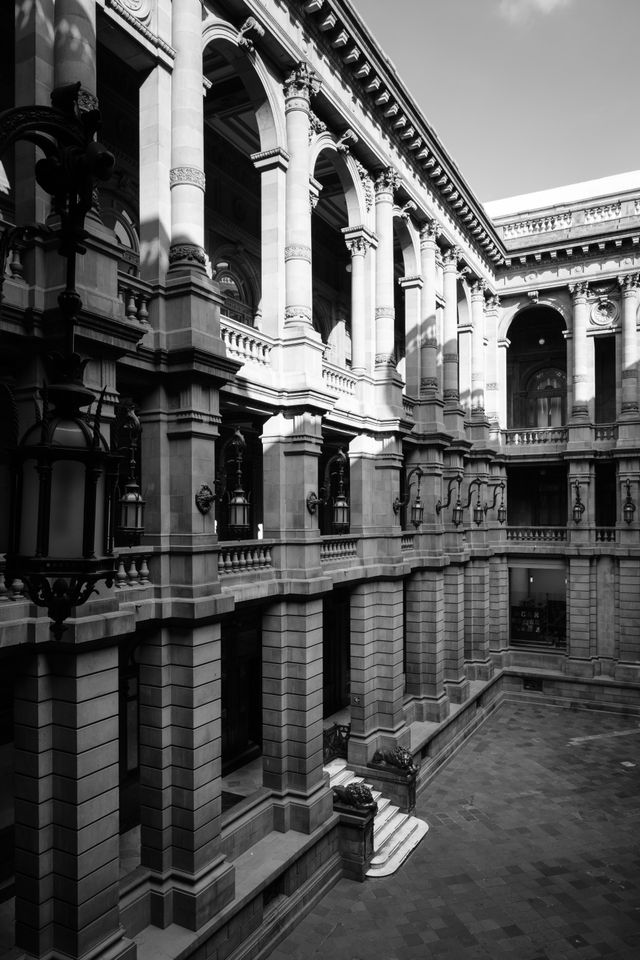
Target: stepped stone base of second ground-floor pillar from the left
(191, 901)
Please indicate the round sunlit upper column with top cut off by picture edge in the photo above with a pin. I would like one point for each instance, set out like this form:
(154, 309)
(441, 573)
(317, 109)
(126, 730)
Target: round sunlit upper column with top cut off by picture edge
(187, 181)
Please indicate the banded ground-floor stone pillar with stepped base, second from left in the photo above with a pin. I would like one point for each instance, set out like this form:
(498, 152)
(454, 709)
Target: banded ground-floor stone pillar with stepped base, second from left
(180, 775)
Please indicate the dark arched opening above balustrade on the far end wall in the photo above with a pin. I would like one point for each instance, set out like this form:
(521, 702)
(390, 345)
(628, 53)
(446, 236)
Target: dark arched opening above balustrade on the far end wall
(537, 370)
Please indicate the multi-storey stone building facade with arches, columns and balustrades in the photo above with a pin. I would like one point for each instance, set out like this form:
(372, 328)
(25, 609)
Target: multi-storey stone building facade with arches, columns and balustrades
(428, 409)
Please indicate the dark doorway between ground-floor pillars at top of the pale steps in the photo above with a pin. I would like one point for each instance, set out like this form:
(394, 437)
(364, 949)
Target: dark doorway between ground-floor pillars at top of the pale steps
(336, 661)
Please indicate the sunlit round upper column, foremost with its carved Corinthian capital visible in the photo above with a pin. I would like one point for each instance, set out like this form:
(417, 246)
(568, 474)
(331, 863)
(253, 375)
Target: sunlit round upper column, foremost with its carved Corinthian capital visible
(301, 84)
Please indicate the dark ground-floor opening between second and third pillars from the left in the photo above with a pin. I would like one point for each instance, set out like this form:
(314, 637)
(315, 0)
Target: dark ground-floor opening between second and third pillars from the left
(241, 690)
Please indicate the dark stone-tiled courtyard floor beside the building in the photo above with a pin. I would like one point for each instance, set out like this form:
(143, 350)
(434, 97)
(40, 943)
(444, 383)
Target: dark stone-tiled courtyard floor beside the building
(533, 853)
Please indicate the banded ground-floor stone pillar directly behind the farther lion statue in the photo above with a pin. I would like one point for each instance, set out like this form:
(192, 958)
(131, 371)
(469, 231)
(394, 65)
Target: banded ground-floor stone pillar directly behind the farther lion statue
(377, 679)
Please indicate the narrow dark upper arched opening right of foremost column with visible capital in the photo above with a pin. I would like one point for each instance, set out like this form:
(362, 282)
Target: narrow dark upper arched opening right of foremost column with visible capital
(331, 263)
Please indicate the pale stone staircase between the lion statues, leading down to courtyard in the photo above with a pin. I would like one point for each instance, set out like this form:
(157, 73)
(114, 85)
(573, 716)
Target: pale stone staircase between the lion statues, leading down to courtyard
(395, 834)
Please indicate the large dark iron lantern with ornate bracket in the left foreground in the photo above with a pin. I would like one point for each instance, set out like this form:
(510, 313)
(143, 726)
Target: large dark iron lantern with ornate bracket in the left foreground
(64, 472)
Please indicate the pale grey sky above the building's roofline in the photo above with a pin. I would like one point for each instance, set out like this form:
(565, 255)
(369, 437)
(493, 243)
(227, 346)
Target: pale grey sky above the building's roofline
(524, 94)
